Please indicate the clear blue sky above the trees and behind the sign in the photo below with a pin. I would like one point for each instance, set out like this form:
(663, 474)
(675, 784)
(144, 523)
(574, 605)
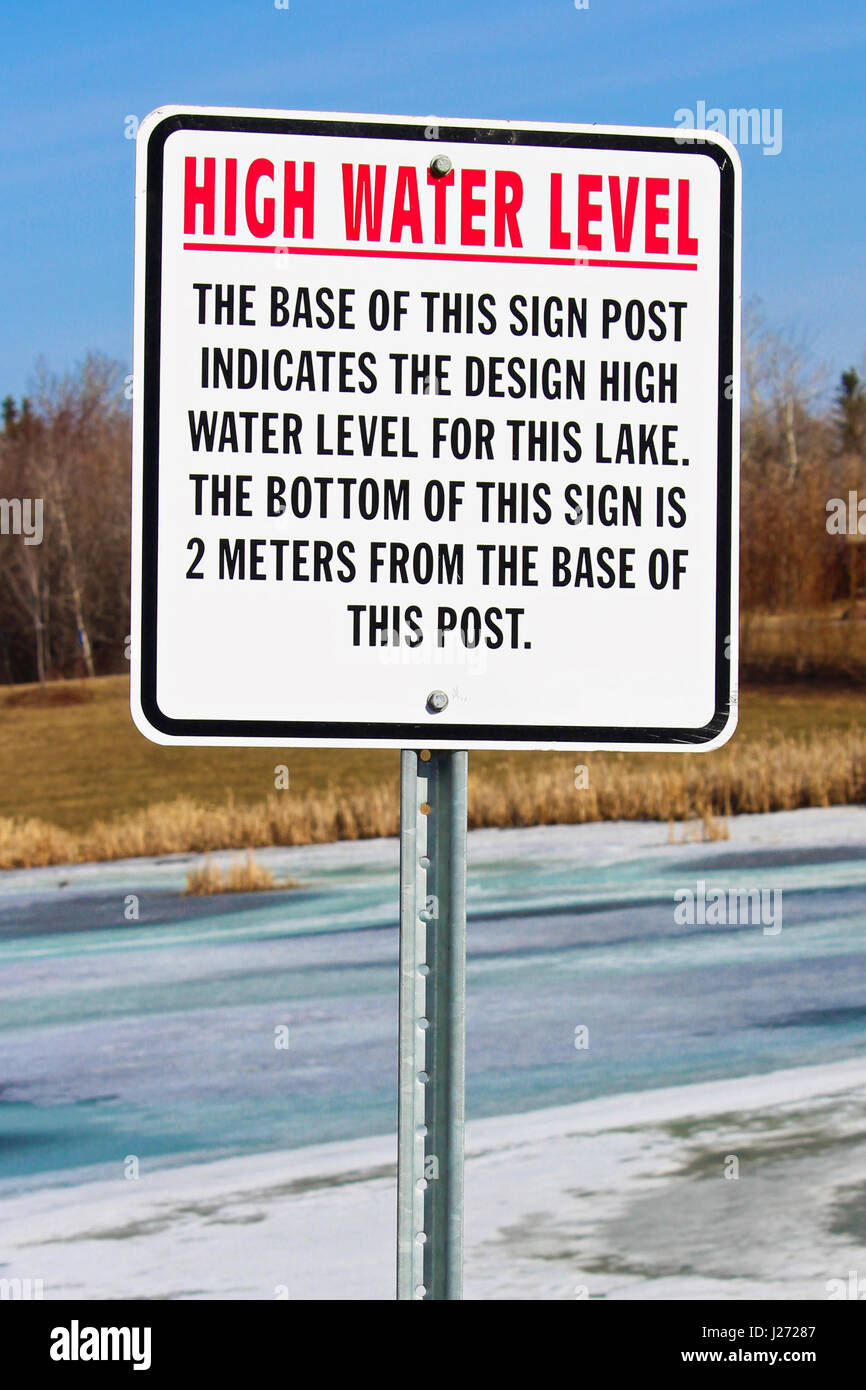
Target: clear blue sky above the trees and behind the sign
(76, 72)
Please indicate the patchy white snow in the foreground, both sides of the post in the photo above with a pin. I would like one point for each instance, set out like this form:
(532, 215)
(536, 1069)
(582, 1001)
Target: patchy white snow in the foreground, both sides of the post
(623, 1197)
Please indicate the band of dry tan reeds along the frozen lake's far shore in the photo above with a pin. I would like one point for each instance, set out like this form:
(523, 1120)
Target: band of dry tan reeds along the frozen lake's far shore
(783, 775)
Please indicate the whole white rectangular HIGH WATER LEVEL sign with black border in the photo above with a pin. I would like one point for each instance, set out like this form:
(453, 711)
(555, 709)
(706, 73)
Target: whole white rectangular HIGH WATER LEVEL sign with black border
(436, 433)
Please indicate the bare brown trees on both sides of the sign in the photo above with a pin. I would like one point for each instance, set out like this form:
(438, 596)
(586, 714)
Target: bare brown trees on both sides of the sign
(65, 600)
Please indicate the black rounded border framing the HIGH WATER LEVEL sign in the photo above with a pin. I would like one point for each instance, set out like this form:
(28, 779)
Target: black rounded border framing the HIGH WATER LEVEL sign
(458, 736)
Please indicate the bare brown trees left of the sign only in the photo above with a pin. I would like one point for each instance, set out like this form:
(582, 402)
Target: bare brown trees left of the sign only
(65, 600)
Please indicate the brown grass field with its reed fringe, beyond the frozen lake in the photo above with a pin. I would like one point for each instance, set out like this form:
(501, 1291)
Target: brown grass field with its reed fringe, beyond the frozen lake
(79, 782)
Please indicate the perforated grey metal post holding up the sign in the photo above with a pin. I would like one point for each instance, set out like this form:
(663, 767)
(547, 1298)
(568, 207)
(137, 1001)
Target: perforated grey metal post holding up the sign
(433, 1025)
